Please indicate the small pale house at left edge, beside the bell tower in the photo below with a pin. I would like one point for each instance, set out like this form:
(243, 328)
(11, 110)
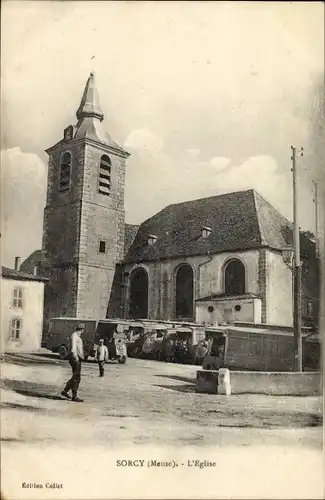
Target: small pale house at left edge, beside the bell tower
(22, 298)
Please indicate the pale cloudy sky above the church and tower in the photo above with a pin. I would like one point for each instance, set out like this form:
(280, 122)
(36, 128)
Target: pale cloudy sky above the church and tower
(207, 97)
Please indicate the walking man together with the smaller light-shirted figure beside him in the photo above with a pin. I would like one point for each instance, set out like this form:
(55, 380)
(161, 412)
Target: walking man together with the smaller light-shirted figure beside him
(75, 357)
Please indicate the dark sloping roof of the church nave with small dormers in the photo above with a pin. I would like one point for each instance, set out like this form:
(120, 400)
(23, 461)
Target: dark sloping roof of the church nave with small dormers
(236, 221)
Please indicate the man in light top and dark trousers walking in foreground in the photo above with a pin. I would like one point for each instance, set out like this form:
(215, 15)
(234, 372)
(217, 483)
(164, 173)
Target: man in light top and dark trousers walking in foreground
(76, 354)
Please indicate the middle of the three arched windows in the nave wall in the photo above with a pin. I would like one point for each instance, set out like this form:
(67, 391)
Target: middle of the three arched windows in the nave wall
(184, 292)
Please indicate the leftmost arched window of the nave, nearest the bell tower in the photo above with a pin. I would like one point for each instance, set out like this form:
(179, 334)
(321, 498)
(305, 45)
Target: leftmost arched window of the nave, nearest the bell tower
(138, 300)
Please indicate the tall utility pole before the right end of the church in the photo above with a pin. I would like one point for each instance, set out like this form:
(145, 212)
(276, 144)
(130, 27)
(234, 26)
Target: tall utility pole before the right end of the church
(296, 269)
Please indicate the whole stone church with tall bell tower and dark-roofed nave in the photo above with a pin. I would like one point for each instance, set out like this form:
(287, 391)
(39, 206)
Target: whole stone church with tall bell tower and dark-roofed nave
(216, 259)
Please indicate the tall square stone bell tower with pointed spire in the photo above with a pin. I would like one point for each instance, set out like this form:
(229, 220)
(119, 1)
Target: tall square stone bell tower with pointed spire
(83, 231)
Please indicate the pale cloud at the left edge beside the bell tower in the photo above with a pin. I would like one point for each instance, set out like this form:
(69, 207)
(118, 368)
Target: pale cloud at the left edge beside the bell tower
(23, 187)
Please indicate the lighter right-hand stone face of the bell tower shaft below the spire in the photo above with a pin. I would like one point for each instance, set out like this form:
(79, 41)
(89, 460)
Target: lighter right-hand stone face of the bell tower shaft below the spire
(102, 219)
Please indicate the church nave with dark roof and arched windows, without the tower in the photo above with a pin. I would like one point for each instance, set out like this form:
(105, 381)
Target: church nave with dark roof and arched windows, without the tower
(217, 259)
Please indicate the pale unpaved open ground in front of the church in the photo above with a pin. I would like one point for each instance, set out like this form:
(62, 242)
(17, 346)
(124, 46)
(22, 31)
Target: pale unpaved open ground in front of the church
(145, 401)
